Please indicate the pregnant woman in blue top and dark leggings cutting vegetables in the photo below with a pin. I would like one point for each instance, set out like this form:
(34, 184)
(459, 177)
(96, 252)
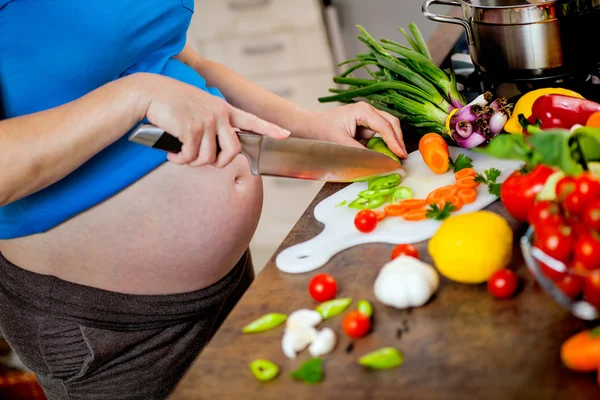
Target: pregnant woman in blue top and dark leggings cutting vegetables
(119, 261)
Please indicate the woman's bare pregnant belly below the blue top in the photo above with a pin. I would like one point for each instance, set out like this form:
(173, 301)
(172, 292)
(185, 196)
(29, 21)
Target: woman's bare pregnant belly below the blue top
(176, 230)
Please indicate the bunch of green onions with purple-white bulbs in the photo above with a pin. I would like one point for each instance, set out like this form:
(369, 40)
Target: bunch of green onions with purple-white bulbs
(405, 82)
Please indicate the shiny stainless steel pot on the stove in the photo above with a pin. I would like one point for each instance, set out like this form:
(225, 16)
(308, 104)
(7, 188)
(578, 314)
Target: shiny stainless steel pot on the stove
(520, 39)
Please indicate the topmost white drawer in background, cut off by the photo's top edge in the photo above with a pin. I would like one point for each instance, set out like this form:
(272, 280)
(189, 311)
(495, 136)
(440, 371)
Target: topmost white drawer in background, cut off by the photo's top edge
(227, 18)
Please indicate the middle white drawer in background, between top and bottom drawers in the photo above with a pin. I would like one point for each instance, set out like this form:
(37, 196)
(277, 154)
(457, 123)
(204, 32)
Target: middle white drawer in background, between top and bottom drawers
(263, 56)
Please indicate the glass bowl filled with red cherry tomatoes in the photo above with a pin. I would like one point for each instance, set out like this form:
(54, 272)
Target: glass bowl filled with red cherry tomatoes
(562, 245)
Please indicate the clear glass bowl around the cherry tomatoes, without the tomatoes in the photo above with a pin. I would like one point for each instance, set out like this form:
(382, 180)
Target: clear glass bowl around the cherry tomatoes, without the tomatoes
(533, 257)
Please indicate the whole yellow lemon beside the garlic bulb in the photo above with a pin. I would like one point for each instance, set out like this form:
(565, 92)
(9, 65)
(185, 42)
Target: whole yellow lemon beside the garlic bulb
(469, 248)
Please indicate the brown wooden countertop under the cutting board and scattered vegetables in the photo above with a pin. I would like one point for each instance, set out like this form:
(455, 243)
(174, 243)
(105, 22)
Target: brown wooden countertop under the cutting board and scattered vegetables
(462, 344)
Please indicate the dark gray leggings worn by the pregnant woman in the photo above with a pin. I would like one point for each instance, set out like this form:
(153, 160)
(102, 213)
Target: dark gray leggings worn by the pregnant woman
(87, 343)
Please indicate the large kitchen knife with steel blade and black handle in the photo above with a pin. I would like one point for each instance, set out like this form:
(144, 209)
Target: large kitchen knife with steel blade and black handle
(291, 158)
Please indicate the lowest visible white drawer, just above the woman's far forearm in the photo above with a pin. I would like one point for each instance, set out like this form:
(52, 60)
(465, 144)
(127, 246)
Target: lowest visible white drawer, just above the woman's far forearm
(303, 90)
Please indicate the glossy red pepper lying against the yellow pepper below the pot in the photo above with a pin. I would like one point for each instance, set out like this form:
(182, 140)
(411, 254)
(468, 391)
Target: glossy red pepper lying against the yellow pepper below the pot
(559, 111)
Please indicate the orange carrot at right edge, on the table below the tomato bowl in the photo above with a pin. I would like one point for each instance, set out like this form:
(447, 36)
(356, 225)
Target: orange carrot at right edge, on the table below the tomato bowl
(581, 352)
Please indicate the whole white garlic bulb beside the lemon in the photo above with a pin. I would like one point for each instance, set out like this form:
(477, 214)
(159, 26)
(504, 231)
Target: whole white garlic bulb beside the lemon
(405, 282)
